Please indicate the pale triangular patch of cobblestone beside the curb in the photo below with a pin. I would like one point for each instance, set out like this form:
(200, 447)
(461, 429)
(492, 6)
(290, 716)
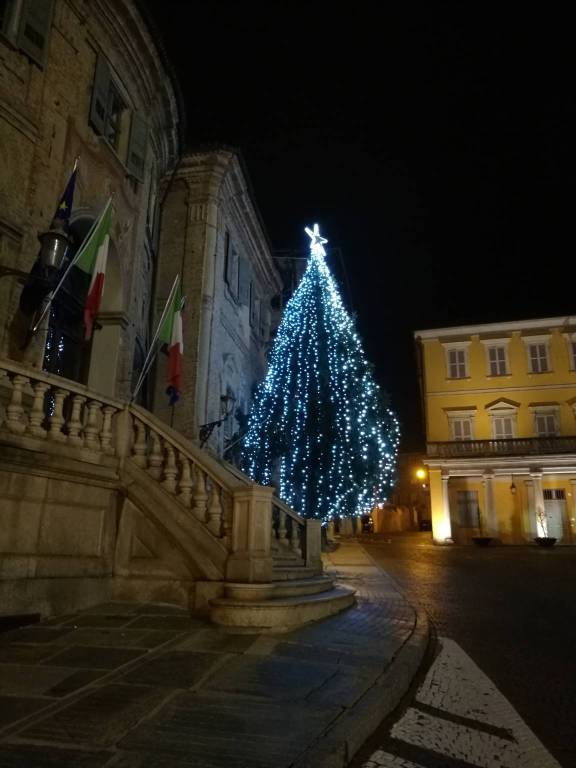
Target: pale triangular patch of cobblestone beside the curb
(458, 719)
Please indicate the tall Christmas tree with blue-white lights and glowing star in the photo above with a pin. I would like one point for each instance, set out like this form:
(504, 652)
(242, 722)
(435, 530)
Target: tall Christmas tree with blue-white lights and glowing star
(320, 428)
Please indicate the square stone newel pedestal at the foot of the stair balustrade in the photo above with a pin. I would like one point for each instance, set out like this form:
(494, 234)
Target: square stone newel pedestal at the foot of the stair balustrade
(251, 559)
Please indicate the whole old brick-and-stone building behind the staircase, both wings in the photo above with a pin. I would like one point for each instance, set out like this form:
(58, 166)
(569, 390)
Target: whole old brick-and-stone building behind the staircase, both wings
(89, 80)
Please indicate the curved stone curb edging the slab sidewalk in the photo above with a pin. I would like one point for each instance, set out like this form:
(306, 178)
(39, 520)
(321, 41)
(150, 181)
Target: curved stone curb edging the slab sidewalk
(338, 745)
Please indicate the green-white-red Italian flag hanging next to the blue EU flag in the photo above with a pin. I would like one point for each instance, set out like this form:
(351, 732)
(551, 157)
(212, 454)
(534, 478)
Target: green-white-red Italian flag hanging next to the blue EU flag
(91, 259)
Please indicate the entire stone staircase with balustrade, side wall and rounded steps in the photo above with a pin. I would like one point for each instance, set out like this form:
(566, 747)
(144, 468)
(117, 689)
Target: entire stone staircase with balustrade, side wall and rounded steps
(182, 524)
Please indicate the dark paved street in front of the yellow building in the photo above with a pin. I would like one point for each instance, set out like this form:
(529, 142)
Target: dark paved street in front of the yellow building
(513, 612)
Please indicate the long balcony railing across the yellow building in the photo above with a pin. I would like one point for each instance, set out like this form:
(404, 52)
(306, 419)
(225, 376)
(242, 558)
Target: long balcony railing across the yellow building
(518, 446)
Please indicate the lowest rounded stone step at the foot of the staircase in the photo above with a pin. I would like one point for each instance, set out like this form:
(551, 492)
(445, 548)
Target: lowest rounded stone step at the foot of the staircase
(279, 614)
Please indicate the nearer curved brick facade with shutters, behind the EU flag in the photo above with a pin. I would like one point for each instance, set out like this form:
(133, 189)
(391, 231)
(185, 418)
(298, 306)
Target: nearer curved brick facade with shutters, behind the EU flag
(84, 79)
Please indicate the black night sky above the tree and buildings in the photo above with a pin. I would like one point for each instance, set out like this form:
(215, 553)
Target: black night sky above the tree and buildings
(433, 143)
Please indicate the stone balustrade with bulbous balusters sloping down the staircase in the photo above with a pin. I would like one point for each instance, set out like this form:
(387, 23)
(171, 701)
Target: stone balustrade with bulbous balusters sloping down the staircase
(47, 412)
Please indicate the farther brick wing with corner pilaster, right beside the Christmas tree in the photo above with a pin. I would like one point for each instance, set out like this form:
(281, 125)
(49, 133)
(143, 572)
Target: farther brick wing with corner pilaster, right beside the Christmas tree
(212, 233)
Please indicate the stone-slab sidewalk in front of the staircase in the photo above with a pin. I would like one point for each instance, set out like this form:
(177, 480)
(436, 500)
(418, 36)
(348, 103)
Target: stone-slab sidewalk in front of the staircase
(145, 686)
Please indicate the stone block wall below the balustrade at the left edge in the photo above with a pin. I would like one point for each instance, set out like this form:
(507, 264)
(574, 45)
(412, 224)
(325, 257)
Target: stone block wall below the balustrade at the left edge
(57, 534)
